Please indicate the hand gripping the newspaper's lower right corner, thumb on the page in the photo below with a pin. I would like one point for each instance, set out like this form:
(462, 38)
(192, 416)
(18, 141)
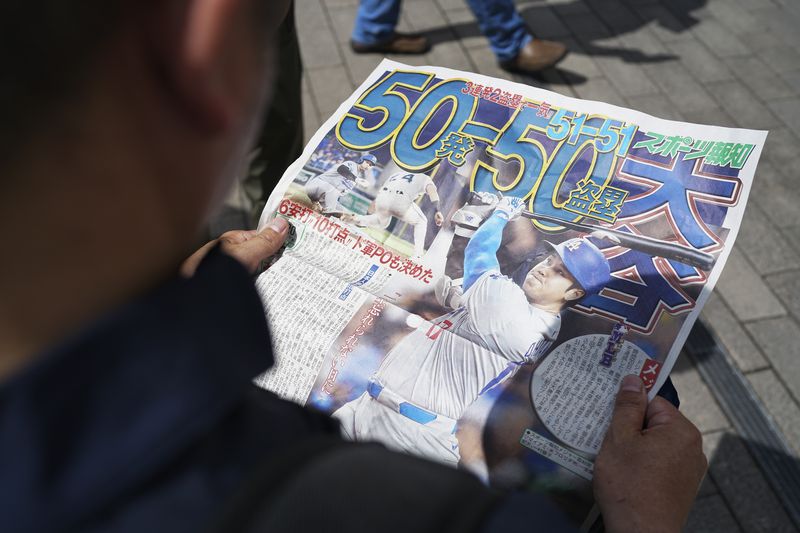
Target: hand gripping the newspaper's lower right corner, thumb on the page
(647, 479)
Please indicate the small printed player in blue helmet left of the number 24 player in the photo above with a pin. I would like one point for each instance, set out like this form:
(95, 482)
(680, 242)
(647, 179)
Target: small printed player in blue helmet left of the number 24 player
(326, 188)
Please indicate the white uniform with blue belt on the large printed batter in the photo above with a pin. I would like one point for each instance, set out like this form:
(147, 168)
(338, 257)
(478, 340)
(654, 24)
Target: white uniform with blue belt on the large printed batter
(433, 374)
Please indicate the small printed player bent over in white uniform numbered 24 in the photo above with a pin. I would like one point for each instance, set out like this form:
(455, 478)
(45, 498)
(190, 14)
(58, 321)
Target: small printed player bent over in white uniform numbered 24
(397, 198)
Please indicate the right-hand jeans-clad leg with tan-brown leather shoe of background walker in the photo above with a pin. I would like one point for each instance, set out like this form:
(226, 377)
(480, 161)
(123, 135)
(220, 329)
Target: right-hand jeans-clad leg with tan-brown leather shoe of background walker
(511, 41)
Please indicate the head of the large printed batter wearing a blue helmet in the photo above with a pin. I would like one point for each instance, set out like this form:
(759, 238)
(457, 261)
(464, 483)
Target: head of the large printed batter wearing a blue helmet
(570, 271)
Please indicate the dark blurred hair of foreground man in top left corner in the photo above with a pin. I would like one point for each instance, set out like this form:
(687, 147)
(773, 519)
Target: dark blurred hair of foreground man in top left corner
(46, 50)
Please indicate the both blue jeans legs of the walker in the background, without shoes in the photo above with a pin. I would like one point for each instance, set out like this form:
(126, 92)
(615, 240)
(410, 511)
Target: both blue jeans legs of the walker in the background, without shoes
(498, 20)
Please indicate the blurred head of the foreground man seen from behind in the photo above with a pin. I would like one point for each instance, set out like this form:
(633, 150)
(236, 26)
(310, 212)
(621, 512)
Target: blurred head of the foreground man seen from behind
(150, 79)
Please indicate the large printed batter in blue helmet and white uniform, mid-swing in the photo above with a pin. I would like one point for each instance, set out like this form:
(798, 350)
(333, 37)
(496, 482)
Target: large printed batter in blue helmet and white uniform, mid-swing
(432, 375)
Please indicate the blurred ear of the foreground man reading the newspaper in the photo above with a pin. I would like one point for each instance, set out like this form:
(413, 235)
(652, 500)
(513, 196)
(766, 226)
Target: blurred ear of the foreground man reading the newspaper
(210, 58)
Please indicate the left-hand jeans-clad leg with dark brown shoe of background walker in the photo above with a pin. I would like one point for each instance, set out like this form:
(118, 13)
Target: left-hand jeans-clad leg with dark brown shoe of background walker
(373, 30)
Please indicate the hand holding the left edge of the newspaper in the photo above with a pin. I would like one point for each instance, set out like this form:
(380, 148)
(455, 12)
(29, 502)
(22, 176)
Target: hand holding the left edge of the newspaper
(250, 248)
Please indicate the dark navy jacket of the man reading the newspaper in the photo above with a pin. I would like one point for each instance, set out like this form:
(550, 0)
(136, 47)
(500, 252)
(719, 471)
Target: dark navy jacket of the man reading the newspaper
(148, 421)
